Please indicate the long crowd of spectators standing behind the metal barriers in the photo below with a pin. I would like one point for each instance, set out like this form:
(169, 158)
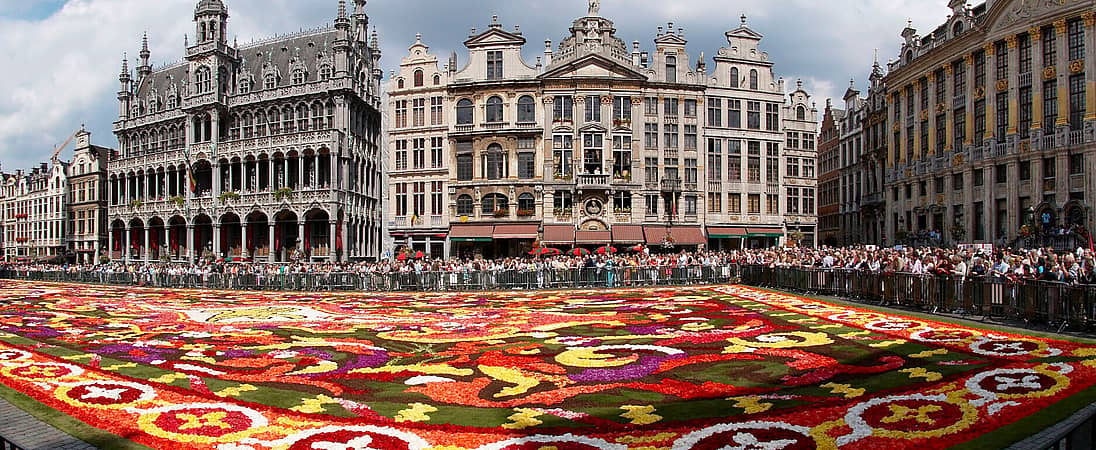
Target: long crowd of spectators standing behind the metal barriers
(1012, 266)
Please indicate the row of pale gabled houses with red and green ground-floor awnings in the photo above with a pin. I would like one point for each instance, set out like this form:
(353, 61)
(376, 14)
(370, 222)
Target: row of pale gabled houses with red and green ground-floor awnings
(598, 143)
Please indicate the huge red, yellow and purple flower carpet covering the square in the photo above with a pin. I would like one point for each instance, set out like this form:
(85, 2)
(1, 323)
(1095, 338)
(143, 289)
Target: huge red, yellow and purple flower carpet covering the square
(683, 368)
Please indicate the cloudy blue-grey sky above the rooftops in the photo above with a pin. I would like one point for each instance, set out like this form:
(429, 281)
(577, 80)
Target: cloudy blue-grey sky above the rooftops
(63, 57)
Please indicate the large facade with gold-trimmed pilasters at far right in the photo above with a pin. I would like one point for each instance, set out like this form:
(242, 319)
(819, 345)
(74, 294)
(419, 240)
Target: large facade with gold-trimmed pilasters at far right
(994, 122)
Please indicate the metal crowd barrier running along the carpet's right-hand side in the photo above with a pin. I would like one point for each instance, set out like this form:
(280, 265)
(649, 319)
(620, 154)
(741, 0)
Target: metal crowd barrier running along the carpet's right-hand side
(1058, 305)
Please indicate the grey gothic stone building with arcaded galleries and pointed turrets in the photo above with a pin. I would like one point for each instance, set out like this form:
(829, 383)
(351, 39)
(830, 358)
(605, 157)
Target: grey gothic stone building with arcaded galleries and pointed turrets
(283, 137)
